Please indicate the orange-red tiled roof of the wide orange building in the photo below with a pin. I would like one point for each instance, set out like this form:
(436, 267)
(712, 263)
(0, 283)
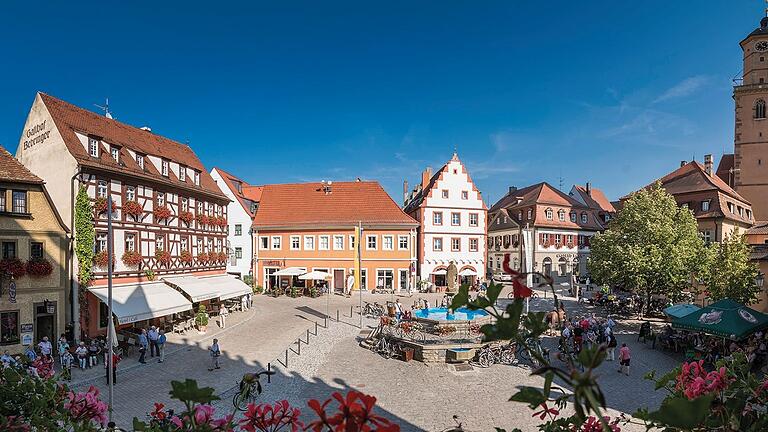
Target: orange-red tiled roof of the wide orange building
(307, 205)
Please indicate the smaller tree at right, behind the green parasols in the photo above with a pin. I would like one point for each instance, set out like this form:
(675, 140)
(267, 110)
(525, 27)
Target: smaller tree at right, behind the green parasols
(730, 273)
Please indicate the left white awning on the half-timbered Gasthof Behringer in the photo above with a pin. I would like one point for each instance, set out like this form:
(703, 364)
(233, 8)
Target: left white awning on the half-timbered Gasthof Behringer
(131, 303)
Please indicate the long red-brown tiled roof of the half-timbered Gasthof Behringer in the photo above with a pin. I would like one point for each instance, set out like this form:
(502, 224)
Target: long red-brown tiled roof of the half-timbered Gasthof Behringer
(70, 119)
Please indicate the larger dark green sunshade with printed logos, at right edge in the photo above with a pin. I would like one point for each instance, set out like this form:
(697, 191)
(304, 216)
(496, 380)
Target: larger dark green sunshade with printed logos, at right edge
(725, 318)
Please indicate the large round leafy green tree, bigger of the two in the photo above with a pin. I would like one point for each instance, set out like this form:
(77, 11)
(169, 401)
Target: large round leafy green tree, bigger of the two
(651, 247)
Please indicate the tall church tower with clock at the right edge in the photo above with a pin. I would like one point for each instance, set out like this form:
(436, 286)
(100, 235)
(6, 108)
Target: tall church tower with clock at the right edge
(750, 173)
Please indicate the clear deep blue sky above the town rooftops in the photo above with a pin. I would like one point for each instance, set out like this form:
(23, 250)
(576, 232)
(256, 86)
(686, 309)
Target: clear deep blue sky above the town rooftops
(612, 92)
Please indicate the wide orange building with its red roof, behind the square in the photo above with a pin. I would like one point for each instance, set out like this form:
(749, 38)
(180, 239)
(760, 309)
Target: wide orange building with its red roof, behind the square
(311, 227)
